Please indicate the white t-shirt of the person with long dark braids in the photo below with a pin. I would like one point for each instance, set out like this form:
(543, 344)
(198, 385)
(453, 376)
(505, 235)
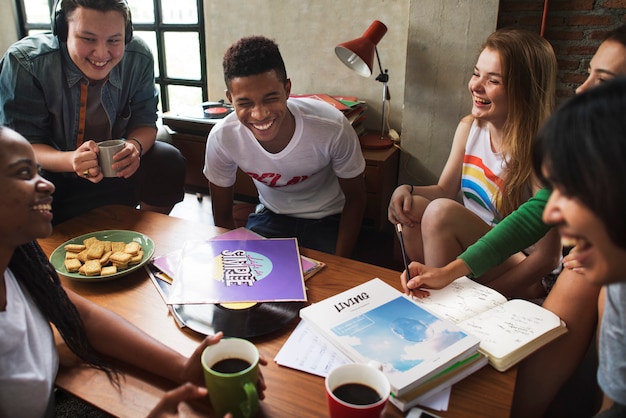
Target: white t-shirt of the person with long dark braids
(28, 355)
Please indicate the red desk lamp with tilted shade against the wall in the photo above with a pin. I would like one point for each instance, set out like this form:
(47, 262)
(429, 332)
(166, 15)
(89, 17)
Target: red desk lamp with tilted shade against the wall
(358, 55)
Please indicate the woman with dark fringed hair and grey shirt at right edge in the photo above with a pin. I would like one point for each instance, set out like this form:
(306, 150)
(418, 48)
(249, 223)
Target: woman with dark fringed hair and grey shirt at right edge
(581, 154)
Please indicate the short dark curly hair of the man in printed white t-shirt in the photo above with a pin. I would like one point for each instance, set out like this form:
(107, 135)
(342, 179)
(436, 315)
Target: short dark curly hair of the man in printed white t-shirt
(251, 56)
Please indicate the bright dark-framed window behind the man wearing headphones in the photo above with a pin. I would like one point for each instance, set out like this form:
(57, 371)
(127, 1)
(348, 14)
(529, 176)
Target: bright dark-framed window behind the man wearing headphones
(174, 30)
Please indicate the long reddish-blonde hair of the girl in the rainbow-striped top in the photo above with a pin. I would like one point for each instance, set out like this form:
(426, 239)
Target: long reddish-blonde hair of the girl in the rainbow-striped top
(529, 69)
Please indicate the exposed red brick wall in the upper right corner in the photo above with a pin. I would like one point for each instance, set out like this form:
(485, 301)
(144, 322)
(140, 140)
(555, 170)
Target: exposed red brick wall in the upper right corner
(573, 27)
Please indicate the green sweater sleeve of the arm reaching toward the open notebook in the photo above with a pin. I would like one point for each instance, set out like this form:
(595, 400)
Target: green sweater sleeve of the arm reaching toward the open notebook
(521, 229)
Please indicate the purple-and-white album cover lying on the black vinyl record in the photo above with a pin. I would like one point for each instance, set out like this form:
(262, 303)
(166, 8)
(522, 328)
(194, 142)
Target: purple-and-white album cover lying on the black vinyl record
(223, 271)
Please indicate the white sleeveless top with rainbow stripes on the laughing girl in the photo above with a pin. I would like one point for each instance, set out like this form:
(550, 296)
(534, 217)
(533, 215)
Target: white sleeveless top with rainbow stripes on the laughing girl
(480, 179)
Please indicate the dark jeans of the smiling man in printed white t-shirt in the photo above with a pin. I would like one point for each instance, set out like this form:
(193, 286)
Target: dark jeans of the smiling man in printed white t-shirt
(316, 234)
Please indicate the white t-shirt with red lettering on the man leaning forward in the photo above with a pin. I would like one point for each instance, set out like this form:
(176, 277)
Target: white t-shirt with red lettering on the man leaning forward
(301, 180)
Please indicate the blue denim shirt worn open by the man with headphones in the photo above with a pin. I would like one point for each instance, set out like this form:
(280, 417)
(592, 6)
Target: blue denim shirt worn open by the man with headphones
(40, 91)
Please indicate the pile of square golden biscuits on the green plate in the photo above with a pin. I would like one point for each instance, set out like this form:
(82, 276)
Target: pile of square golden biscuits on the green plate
(101, 258)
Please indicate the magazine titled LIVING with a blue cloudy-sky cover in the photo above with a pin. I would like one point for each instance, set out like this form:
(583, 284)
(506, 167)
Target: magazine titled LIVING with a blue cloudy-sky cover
(375, 323)
